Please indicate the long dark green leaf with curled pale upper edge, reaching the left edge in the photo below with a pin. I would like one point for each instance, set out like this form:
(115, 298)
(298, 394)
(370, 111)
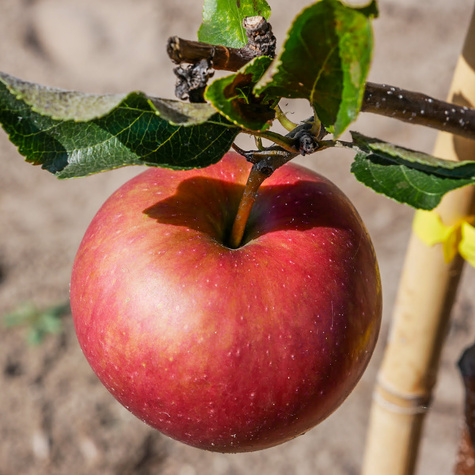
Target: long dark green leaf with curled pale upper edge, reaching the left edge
(72, 134)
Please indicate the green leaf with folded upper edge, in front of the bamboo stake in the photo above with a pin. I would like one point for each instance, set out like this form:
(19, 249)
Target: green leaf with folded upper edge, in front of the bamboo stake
(406, 176)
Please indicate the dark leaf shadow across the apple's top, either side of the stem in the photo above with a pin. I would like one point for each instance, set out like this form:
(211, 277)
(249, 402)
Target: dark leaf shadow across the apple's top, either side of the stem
(207, 204)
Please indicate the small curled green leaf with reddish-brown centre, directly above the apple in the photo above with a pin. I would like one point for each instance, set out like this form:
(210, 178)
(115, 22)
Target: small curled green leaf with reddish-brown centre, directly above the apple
(232, 96)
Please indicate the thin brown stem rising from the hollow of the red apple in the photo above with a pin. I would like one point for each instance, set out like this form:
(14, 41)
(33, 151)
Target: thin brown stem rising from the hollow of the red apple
(254, 181)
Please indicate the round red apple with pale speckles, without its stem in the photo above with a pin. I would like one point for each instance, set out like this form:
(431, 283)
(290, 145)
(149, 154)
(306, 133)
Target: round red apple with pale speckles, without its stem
(229, 350)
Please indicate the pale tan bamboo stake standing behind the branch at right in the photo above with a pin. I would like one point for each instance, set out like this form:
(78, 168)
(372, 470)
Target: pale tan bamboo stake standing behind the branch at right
(421, 314)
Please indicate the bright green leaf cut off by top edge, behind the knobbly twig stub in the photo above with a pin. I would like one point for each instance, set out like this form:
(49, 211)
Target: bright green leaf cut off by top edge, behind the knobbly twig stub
(222, 20)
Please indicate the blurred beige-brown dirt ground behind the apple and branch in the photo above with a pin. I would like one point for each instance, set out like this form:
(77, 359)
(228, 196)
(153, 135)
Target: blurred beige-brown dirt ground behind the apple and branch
(55, 417)
